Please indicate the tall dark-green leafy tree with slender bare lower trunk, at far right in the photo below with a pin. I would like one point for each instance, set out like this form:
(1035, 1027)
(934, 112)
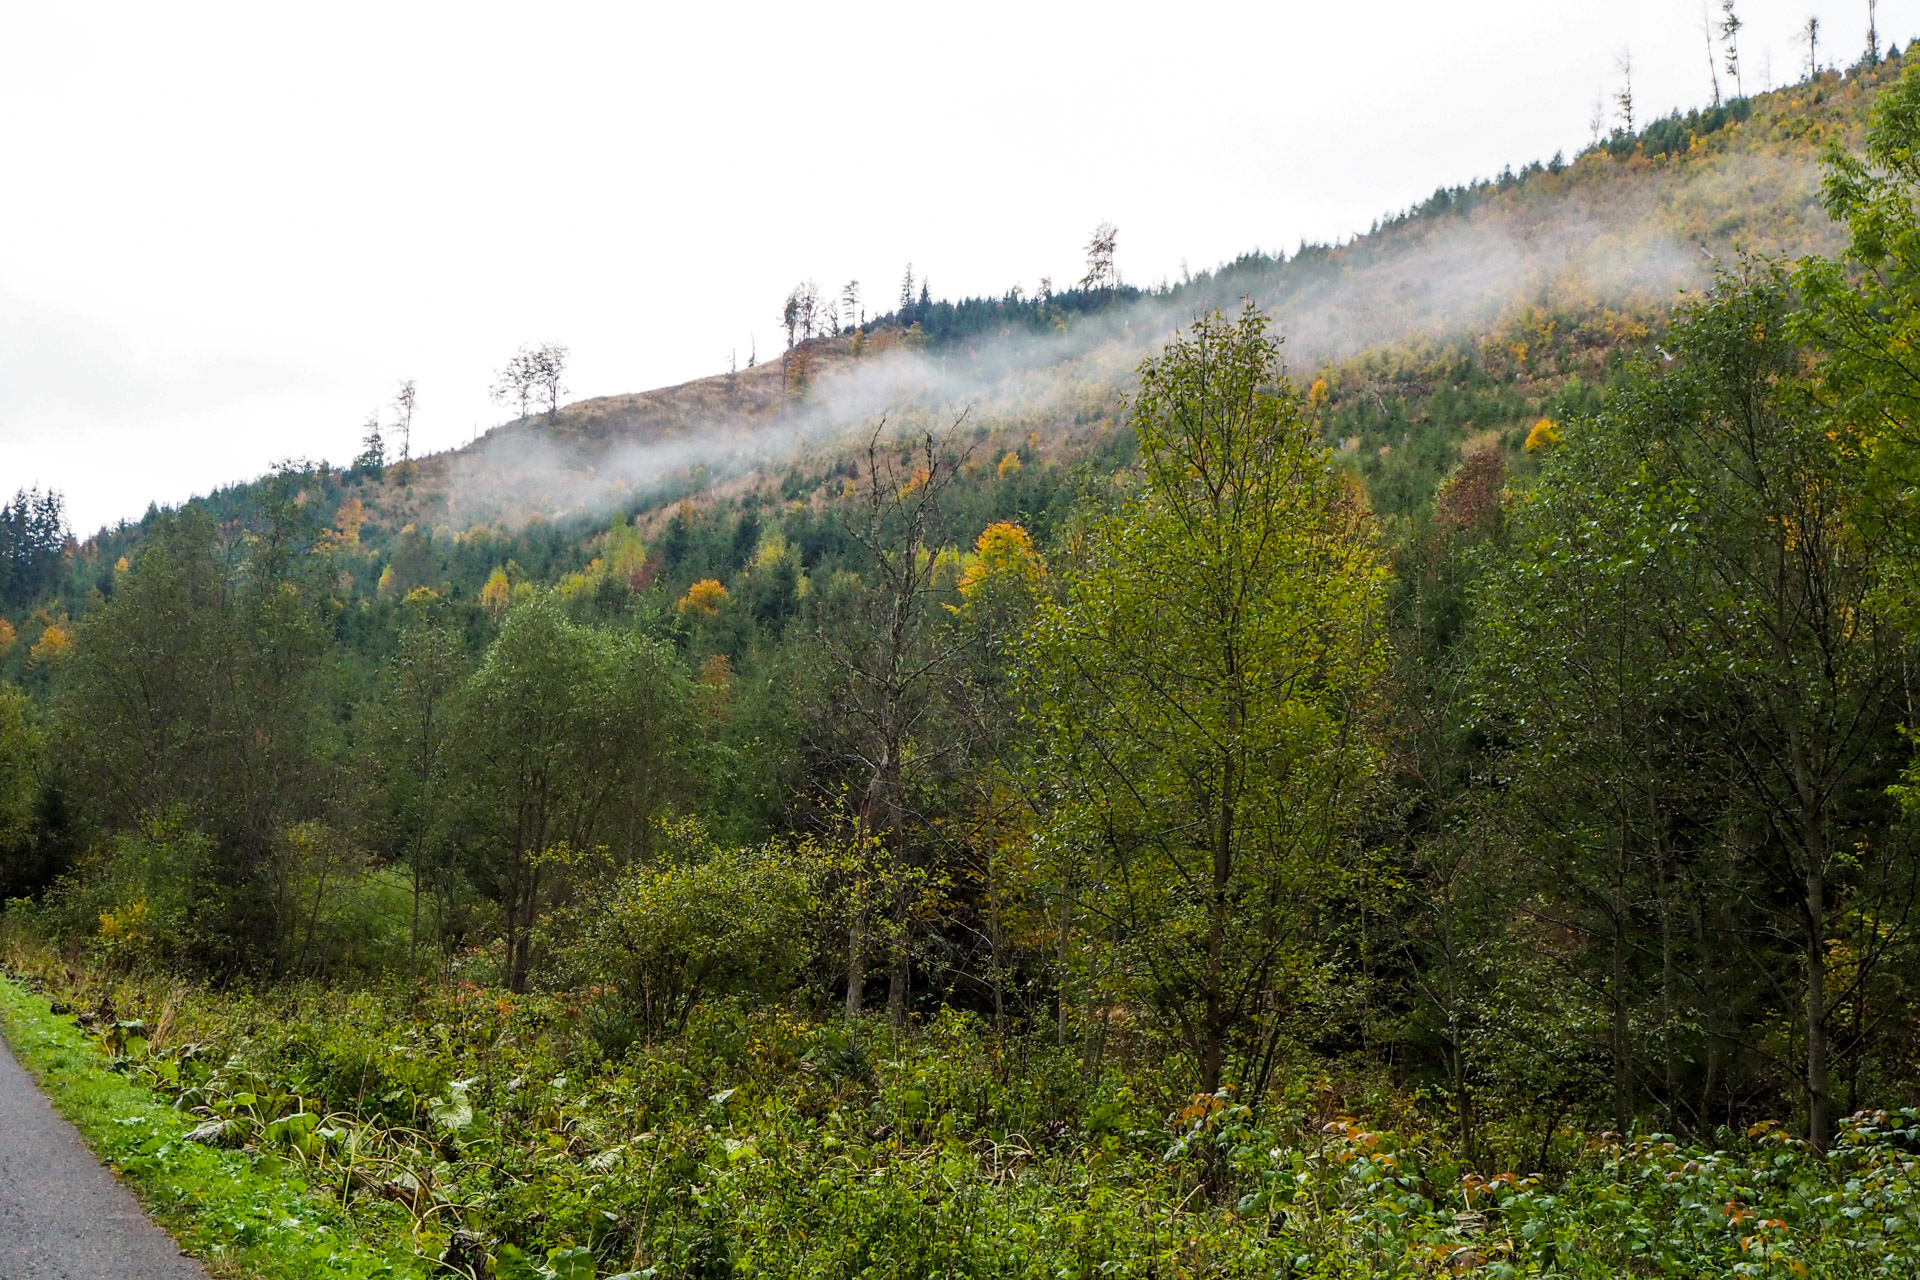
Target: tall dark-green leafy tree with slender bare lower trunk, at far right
(1714, 504)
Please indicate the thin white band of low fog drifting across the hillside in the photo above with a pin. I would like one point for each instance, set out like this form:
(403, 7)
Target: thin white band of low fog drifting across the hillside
(1437, 279)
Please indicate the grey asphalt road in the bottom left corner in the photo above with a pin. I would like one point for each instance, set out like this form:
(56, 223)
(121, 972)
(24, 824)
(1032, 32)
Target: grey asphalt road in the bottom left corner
(62, 1214)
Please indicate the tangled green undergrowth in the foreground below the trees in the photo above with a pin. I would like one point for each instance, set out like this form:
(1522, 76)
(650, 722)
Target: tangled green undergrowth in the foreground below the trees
(491, 1135)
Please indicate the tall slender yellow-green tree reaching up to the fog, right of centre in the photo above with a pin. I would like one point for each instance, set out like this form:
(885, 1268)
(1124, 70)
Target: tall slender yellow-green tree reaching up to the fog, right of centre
(1199, 692)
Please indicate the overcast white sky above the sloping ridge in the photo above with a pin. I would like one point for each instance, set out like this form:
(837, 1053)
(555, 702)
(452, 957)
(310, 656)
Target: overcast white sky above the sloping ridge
(228, 231)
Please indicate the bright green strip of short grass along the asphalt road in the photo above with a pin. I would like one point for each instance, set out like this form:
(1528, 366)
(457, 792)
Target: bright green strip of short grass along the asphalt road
(241, 1214)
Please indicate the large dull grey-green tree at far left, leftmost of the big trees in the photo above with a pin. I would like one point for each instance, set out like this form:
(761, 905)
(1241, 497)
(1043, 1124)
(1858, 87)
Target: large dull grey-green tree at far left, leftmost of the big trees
(195, 696)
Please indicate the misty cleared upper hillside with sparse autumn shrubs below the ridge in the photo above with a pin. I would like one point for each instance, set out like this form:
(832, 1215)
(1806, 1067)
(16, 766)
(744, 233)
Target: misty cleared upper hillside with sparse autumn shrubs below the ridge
(1531, 279)
